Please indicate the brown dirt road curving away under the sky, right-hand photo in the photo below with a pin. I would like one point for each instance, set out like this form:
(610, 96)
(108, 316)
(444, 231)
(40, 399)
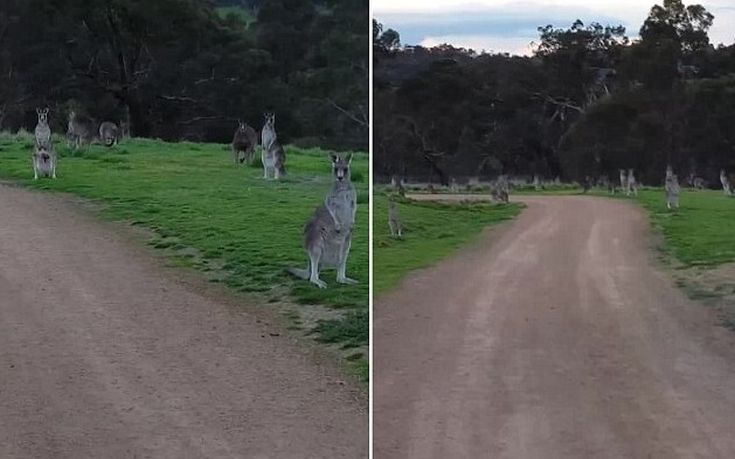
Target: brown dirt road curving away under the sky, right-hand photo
(556, 337)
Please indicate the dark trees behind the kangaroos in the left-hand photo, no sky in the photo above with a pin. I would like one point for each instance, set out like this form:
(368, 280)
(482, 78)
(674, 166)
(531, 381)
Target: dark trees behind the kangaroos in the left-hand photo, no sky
(189, 69)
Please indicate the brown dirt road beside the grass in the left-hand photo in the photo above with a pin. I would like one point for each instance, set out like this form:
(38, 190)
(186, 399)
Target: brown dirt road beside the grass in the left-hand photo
(104, 354)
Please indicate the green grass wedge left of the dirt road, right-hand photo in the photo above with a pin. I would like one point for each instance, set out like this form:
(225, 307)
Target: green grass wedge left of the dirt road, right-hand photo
(432, 231)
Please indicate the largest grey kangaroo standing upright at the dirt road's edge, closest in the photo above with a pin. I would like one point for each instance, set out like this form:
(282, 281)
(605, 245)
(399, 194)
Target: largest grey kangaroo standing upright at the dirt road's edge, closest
(328, 233)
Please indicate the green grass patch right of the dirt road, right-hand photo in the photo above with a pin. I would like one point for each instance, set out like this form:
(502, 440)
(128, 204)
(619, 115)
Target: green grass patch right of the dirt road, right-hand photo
(701, 232)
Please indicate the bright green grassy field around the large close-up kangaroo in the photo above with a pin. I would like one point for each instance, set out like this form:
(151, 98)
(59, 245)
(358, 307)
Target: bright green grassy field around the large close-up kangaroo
(223, 220)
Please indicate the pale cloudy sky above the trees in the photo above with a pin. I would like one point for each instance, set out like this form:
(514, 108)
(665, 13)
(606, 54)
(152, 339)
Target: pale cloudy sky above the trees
(510, 26)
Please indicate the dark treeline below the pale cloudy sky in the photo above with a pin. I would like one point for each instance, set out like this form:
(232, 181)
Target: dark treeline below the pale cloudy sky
(588, 102)
